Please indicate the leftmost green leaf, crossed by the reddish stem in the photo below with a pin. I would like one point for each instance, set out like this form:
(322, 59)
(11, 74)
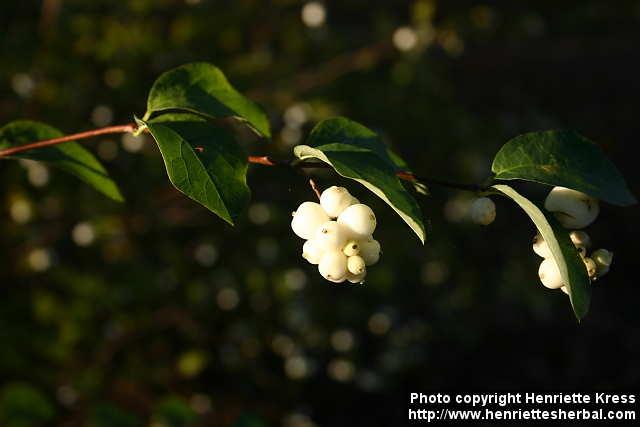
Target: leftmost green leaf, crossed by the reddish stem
(69, 156)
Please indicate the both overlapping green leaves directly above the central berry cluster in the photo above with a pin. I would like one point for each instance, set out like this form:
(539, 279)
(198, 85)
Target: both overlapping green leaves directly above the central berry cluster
(357, 158)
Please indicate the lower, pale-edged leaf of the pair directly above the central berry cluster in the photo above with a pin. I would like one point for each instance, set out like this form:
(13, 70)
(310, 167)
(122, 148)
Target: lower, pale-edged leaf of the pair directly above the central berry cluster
(365, 167)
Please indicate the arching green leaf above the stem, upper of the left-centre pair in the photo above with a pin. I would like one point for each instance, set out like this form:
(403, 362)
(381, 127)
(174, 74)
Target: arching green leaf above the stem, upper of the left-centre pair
(202, 88)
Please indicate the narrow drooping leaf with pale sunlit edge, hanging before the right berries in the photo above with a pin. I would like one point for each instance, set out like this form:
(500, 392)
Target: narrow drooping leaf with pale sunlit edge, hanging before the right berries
(572, 269)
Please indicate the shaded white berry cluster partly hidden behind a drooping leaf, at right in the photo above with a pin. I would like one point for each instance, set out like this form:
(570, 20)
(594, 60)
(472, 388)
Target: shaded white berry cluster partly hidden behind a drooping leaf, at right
(574, 210)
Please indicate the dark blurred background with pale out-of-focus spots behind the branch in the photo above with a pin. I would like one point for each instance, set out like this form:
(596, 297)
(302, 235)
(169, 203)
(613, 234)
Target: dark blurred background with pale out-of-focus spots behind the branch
(155, 312)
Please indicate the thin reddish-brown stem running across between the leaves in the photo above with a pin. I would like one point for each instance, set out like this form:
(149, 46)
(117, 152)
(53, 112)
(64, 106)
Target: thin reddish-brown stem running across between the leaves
(259, 160)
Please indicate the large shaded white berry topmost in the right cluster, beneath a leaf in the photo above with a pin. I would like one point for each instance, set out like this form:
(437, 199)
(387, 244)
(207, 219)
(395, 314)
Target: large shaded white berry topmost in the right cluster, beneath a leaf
(572, 208)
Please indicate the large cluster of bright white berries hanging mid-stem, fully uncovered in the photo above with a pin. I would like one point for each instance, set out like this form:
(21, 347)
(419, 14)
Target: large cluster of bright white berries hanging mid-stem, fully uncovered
(339, 233)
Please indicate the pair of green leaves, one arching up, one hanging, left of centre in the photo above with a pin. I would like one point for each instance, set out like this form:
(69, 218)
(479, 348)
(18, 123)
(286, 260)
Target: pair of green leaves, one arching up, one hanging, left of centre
(203, 160)
